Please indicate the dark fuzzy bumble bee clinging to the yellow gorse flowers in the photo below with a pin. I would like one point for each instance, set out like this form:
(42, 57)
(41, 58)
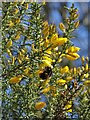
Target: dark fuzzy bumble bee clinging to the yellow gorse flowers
(45, 73)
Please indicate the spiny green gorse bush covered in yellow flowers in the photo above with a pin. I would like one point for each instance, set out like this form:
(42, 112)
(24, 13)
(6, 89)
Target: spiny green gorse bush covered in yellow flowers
(34, 84)
